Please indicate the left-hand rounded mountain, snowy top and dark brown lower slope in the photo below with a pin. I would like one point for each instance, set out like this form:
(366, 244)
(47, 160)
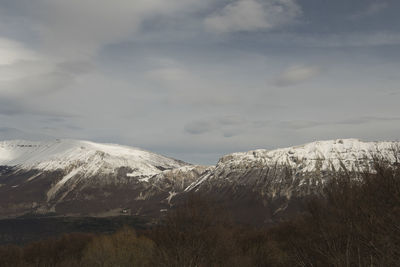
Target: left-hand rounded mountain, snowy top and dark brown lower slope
(79, 177)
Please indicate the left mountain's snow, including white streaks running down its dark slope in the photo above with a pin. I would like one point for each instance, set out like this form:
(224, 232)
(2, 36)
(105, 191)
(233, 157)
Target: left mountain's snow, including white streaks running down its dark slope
(73, 165)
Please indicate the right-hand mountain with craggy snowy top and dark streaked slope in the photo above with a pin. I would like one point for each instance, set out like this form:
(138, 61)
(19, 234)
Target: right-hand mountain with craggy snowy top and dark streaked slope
(264, 185)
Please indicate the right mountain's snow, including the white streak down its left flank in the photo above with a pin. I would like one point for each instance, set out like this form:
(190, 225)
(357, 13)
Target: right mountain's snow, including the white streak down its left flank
(331, 155)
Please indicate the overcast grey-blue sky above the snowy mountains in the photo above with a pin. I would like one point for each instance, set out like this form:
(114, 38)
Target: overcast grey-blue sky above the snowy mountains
(195, 79)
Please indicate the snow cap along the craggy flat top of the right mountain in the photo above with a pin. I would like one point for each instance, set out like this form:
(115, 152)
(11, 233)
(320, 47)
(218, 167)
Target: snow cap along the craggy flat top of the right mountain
(322, 155)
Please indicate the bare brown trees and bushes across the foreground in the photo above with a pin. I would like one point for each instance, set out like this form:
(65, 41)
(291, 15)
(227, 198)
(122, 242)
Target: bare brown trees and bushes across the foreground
(355, 223)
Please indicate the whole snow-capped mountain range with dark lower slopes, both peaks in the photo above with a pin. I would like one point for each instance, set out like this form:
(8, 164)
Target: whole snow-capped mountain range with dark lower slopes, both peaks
(81, 178)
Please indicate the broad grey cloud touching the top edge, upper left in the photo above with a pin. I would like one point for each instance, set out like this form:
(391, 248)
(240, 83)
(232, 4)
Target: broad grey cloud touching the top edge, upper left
(76, 29)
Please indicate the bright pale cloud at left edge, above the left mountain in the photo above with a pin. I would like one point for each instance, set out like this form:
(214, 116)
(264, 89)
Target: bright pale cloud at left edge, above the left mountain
(24, 73)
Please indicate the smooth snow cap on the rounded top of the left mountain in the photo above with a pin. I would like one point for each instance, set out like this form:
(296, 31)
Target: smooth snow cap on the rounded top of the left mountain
(69, 154)
